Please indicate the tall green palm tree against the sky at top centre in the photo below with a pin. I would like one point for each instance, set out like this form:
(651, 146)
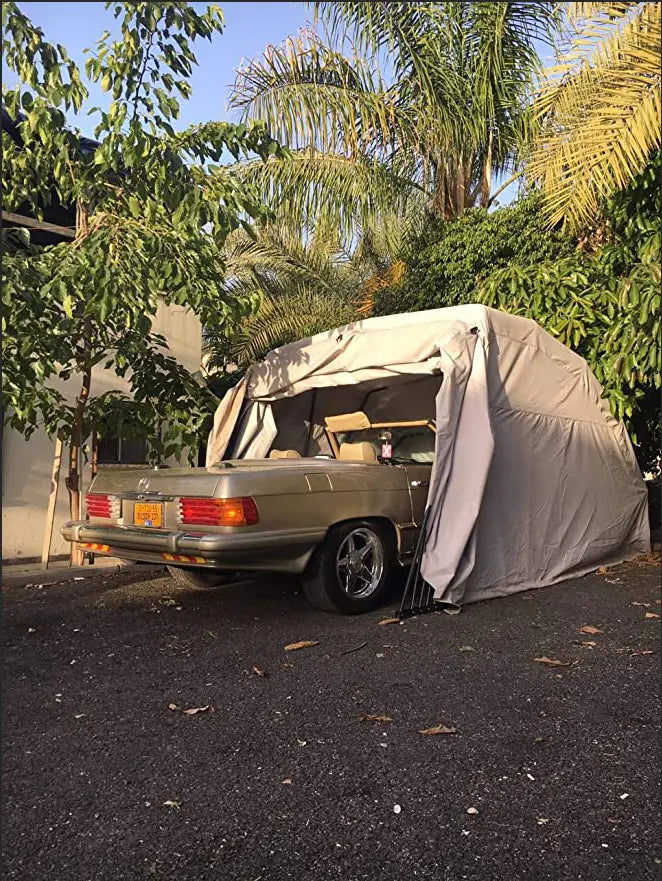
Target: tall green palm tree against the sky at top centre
(435, 133)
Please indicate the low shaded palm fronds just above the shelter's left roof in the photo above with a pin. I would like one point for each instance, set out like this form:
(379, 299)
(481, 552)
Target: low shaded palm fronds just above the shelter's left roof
(300, 286)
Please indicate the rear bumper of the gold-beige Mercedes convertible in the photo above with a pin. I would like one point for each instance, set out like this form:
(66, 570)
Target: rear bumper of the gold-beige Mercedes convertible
(282, 551)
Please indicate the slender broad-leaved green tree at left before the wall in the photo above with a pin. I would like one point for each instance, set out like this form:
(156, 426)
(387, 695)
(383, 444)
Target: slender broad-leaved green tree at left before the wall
(153, 210)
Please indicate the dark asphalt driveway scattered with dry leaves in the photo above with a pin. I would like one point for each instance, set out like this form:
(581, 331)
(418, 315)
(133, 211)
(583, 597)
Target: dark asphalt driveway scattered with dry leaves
(551, 773)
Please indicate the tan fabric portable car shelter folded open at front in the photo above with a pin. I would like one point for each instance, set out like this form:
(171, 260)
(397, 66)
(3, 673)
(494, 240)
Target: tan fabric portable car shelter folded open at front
(533, 481)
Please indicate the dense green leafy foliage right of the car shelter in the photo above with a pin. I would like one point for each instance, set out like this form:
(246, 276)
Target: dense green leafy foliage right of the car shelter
(604, 302)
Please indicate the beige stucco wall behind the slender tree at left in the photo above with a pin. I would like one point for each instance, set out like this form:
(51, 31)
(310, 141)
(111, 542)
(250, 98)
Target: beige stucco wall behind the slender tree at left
(26, 465)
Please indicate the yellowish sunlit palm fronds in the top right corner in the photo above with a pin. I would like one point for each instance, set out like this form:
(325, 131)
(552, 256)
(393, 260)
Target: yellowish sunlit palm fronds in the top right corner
(600, 107)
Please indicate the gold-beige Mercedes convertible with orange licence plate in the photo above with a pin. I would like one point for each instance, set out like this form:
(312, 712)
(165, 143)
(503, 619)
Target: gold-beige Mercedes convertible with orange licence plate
(344, 523)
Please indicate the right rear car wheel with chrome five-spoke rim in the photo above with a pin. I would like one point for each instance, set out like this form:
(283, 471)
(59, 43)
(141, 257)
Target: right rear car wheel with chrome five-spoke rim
(328, 583)
